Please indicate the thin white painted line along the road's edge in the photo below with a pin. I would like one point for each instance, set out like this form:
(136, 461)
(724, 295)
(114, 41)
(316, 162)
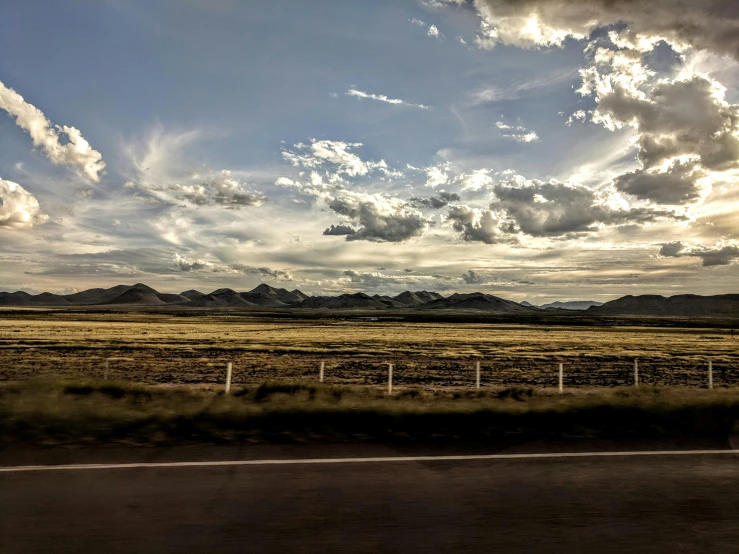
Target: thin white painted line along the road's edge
(309, 461)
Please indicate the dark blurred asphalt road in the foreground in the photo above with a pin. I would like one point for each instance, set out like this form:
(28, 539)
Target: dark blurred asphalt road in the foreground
(598, 504)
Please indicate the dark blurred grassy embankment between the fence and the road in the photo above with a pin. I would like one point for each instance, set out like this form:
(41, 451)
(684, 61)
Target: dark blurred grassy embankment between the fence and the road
(97, 412)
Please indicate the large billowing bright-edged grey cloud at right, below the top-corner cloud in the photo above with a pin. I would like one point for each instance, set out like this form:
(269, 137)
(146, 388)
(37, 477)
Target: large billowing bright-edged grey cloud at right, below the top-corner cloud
(686, 131)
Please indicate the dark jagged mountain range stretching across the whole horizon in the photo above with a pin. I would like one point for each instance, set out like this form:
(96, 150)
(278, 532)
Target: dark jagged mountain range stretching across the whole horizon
(267, 297)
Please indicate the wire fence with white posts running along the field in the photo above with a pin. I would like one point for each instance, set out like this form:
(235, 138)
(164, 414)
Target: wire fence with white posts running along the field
(699, 373)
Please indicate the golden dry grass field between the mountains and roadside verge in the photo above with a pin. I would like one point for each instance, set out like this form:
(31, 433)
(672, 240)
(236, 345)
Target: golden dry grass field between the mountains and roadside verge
(168, 348)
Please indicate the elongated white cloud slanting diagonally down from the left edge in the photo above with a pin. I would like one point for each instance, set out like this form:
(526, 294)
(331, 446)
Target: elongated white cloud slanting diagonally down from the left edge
(62, 145)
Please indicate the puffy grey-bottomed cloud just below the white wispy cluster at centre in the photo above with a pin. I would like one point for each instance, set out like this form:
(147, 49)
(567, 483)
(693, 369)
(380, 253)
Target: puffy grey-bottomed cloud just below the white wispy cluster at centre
(379, 218)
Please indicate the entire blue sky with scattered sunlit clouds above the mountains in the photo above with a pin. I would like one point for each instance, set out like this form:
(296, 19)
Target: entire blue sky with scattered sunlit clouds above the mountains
(537, 150)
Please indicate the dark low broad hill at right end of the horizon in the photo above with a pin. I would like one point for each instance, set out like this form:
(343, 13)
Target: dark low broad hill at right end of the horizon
(683, 305)
